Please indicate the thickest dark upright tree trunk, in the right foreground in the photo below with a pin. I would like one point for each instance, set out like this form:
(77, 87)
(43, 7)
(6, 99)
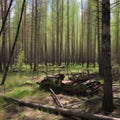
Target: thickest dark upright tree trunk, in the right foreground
(106, 57)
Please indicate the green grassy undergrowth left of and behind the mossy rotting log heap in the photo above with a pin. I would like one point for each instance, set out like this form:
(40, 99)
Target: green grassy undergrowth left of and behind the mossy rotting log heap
(22, 84)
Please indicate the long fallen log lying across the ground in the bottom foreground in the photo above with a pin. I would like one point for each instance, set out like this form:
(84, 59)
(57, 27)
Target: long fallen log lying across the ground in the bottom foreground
(62, 111)
